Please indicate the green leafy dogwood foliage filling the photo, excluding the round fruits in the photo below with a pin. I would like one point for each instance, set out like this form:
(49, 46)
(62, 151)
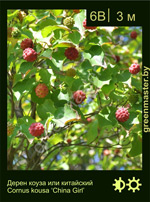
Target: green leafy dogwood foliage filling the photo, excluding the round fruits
(101, 144)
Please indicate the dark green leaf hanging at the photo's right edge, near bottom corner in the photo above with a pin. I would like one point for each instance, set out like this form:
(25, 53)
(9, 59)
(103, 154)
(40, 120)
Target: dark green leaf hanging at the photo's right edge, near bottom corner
(136, 146)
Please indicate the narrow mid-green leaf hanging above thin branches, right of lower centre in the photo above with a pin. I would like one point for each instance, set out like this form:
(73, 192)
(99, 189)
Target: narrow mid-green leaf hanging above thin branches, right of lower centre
(93, 131)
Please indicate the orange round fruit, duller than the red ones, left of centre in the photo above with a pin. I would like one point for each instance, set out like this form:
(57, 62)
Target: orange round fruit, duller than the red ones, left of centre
(41, 90)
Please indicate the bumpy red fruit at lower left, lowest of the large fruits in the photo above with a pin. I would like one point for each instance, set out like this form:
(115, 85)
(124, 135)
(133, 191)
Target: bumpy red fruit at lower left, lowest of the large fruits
(36, 129)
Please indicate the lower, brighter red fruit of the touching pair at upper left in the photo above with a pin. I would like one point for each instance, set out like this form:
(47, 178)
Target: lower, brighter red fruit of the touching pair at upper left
(29, 55)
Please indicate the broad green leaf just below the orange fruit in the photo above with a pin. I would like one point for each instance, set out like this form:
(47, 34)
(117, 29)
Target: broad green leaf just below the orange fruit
(45, 109)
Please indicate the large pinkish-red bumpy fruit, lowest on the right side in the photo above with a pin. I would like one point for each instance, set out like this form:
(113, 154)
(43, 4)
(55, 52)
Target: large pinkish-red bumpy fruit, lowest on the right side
(122, 114)
